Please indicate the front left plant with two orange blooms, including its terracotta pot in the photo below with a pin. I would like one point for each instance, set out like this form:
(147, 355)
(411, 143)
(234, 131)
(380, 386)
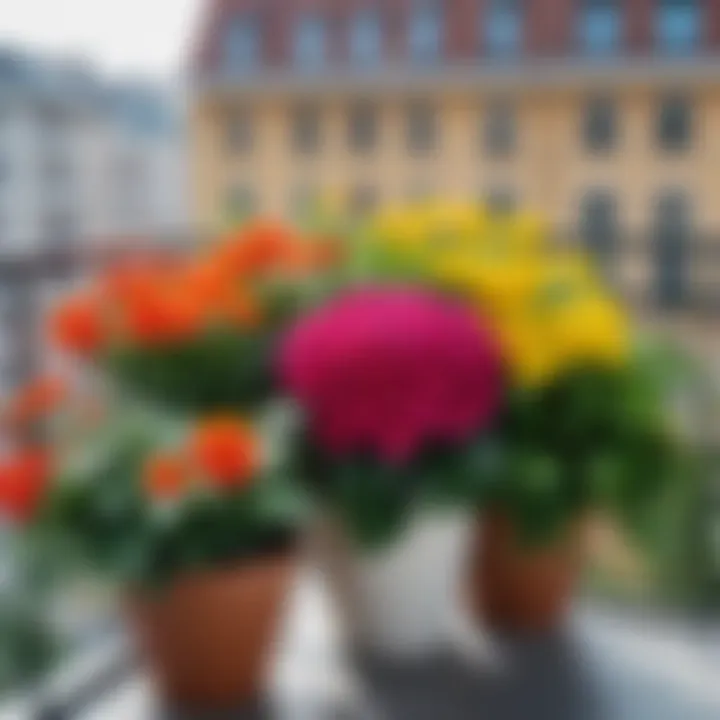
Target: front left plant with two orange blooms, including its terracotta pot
(200, 532)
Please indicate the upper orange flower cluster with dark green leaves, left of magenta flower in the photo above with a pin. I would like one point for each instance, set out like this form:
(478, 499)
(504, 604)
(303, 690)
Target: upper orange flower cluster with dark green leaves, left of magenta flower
(195, 333)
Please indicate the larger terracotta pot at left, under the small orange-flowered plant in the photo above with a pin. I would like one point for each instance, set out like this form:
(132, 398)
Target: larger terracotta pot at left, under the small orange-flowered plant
(208, 638)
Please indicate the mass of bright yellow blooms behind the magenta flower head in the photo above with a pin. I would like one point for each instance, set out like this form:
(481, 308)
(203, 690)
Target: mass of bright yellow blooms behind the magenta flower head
(551, 311)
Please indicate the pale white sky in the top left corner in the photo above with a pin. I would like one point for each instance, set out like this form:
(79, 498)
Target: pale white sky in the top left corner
(121, 37)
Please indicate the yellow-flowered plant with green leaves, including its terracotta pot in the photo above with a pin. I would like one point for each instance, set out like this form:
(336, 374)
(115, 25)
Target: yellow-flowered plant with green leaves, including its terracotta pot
(587, 421)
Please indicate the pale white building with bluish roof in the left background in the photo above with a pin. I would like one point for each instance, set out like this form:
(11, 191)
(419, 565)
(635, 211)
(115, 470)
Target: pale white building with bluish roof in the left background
(84, 164)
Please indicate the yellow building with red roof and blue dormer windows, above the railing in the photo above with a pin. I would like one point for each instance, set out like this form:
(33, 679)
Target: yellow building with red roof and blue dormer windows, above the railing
(601, 114)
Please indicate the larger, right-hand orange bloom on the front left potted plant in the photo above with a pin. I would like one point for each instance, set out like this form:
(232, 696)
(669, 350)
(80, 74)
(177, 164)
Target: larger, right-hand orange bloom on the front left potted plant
(226, 450)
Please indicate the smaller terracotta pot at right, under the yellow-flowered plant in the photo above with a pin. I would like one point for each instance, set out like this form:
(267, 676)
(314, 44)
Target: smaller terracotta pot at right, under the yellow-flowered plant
(519, 588)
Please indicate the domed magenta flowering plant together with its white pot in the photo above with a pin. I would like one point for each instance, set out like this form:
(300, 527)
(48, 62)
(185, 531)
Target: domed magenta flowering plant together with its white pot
(397, 388)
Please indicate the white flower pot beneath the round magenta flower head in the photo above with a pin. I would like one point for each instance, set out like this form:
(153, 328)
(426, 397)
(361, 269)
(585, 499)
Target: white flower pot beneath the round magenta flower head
(401, 600)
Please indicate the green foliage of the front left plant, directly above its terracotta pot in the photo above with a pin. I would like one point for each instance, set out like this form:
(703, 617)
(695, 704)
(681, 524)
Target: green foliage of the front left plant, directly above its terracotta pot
(99, 515)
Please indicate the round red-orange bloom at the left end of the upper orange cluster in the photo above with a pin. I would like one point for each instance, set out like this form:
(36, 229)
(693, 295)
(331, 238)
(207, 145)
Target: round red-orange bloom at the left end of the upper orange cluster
(77, 325)
